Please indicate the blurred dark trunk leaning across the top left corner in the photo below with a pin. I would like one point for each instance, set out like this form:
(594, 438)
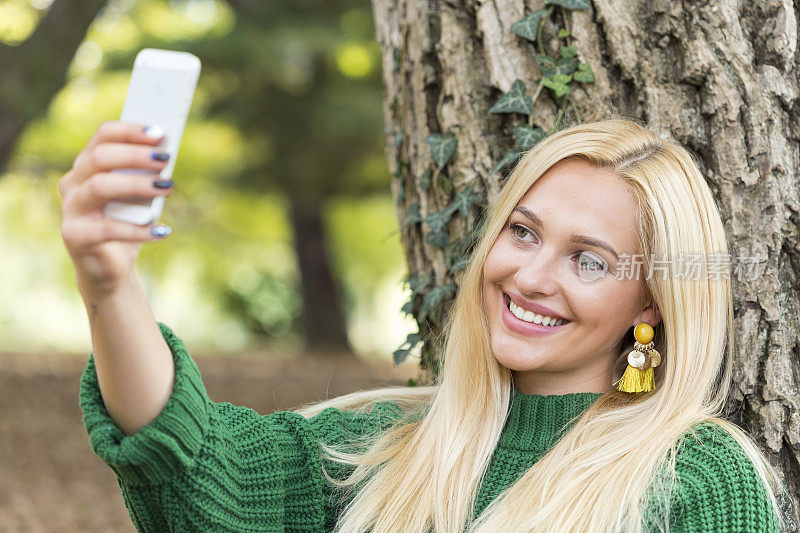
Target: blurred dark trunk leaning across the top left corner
(32, 73)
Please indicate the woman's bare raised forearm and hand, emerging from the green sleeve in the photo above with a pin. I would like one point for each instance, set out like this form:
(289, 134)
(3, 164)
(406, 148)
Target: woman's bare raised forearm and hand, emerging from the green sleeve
(134, 365)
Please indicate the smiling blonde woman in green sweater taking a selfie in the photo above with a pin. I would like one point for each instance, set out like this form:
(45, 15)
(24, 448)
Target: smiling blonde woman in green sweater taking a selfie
(533, 426)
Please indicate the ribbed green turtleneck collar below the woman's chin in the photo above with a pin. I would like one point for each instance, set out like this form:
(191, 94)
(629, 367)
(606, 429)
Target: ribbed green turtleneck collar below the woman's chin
(534, 421)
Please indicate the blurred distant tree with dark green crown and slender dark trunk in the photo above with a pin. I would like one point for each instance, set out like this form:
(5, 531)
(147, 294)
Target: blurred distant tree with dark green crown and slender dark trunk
(310, 91)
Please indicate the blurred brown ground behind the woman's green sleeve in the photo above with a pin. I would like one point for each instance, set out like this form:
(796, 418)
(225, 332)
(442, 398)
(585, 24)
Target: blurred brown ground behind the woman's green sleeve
(50, 480)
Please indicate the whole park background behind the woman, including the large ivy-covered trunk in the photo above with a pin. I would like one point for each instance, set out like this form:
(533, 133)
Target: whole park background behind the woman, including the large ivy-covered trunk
(287, 91)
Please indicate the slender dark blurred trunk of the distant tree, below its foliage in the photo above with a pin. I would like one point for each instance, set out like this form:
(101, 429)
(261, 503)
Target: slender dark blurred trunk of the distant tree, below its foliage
(322, 316)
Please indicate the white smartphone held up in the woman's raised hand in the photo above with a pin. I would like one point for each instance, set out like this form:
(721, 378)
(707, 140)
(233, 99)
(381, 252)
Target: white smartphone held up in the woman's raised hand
(160, 93)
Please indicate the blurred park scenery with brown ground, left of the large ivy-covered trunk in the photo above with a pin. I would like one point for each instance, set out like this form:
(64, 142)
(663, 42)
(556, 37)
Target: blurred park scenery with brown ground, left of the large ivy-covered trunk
(282, 158)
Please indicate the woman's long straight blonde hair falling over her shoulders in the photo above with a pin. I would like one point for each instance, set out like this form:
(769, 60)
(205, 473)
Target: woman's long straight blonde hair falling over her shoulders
(423, 473)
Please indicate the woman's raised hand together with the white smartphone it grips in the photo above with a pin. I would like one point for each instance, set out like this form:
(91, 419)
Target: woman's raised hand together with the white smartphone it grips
(114, 189)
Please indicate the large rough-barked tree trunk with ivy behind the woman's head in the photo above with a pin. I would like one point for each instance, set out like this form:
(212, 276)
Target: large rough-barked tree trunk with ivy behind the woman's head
(718, 76)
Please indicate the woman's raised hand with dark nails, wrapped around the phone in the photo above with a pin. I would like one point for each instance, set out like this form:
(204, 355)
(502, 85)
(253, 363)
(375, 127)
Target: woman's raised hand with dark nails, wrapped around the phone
(104, 250)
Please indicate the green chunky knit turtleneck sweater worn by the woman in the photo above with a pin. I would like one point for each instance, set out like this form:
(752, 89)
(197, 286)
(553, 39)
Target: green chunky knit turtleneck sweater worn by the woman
(206, 466)
